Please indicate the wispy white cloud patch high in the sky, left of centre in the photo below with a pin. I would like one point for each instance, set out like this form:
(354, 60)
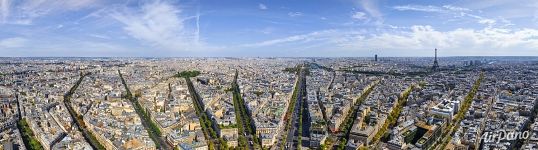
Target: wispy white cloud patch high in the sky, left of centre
(159, 24)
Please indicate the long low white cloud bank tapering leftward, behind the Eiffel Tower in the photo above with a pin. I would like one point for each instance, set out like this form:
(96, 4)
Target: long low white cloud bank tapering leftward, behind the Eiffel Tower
(460, 41)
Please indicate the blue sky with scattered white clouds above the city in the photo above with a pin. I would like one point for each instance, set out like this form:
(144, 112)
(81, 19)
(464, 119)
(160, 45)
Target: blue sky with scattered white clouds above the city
(267, 28)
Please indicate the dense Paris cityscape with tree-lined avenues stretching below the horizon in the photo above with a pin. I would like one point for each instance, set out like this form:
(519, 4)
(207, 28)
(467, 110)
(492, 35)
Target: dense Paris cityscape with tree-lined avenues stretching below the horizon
(269, 103)
